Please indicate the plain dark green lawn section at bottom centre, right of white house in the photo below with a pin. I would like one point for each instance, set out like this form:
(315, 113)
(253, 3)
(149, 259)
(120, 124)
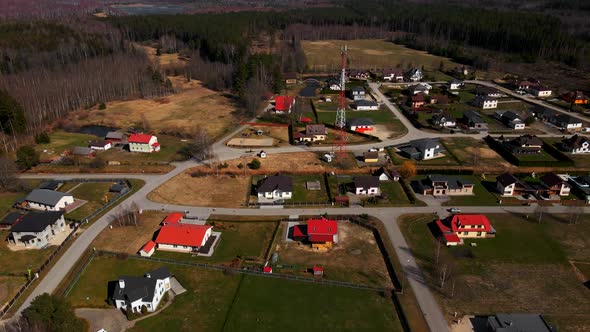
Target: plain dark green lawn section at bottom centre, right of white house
(264, 304)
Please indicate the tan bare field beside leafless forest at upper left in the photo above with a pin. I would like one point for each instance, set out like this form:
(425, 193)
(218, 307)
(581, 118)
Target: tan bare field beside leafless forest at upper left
(181, 112)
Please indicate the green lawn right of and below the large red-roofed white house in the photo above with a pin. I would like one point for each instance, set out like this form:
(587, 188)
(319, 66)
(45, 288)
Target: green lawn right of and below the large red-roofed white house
(248, 240)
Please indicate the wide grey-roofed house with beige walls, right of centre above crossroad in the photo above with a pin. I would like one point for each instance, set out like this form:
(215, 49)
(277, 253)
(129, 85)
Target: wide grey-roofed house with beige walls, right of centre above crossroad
(451, 185)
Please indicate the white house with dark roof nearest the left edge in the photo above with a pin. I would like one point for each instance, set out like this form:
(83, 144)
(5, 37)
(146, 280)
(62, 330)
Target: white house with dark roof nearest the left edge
(36, 229)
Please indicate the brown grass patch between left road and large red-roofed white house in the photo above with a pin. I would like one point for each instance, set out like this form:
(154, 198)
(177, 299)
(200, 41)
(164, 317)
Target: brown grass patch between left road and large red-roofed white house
(129, 239)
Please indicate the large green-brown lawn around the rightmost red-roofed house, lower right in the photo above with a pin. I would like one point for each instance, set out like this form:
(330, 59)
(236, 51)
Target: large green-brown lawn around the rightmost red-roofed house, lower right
(523, 269)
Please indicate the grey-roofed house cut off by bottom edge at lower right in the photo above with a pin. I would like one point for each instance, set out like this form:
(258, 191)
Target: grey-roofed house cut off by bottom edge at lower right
(517, 323)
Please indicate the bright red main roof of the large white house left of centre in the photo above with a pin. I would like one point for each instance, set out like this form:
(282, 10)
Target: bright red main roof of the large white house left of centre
(182, 234)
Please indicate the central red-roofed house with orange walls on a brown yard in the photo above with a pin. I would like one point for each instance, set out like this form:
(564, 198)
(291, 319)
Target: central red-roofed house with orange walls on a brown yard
(322, 233)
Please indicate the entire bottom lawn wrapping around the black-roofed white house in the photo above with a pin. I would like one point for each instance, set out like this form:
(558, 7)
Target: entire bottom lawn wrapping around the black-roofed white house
(218, 302)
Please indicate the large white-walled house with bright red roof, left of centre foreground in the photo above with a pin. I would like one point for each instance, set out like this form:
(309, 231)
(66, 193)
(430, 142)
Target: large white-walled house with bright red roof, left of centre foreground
(183, 237)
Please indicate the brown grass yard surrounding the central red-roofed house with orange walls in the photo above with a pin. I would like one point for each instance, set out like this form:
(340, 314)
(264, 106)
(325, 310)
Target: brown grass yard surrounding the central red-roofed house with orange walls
(355, 258)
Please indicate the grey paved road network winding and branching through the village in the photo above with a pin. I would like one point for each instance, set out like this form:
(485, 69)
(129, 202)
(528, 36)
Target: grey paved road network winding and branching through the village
(428, 304)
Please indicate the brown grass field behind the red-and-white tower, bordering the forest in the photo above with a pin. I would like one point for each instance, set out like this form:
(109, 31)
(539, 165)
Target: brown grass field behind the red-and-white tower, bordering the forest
(368, 53)
